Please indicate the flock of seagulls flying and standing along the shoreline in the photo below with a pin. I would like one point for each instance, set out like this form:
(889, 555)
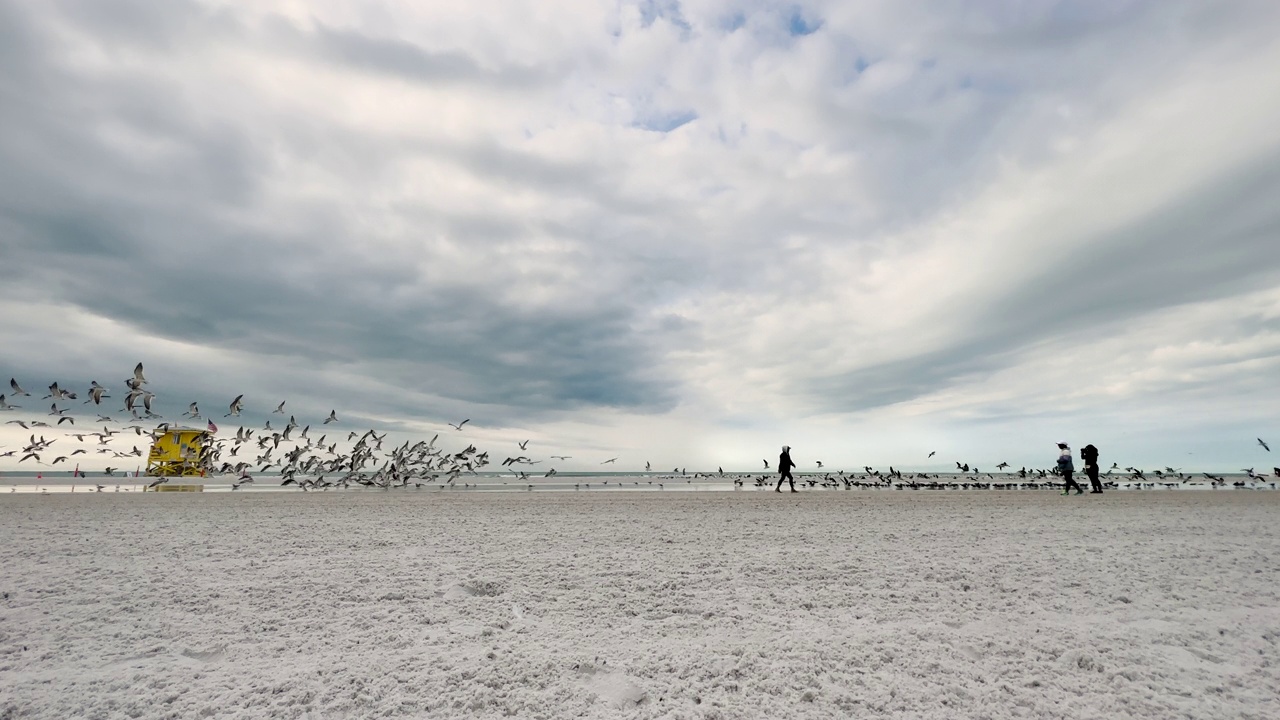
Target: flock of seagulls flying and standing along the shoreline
(317, 463)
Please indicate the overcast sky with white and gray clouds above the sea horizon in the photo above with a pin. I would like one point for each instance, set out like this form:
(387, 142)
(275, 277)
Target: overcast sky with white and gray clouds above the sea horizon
(673, 233)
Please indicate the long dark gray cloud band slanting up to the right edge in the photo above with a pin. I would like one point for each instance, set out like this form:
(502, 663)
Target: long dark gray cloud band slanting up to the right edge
(1158, 262)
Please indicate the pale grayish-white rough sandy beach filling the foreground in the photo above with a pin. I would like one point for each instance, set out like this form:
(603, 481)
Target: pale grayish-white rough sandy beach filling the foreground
(641, 605)
